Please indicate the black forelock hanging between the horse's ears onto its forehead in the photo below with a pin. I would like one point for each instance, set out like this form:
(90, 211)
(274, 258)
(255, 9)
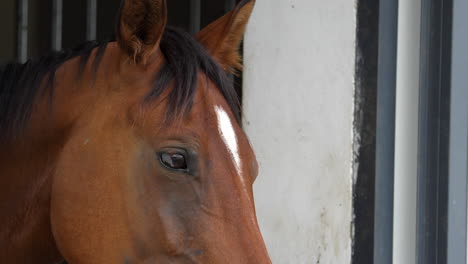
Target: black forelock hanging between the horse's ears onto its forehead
(185, 58)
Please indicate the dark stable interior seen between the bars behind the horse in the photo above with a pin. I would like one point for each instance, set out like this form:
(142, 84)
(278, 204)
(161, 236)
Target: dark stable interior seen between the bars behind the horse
(74, 22)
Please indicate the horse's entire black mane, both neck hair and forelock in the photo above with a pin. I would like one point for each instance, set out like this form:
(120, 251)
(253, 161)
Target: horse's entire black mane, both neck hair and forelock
(20, 84)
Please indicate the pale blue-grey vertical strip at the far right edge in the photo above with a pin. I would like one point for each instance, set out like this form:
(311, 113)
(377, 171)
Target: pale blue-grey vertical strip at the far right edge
(458, 142)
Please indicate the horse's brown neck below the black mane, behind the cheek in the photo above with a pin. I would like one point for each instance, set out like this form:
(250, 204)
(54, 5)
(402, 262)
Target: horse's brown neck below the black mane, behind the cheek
(27, 168)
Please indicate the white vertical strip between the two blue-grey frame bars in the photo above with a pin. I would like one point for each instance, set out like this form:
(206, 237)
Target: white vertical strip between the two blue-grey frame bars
(406, 133)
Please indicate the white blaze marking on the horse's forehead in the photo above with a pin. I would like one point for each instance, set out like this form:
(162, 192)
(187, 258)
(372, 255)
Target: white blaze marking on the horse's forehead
(229, 137)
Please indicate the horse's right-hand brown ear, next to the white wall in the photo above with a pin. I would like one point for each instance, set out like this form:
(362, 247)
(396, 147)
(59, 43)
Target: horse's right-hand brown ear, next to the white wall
(223, 37)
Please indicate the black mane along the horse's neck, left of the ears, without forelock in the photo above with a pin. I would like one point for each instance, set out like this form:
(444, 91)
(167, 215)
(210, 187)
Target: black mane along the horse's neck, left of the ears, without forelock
(20, 85)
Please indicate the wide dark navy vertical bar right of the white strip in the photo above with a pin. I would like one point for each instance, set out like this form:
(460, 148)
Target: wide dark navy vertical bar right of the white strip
(433, 137)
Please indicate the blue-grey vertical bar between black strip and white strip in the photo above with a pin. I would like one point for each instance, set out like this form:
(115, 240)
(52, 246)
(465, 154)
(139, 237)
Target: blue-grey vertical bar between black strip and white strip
(385, 135)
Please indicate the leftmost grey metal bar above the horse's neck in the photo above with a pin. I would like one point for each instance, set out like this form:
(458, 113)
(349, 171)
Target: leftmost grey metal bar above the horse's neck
(22, 51)
